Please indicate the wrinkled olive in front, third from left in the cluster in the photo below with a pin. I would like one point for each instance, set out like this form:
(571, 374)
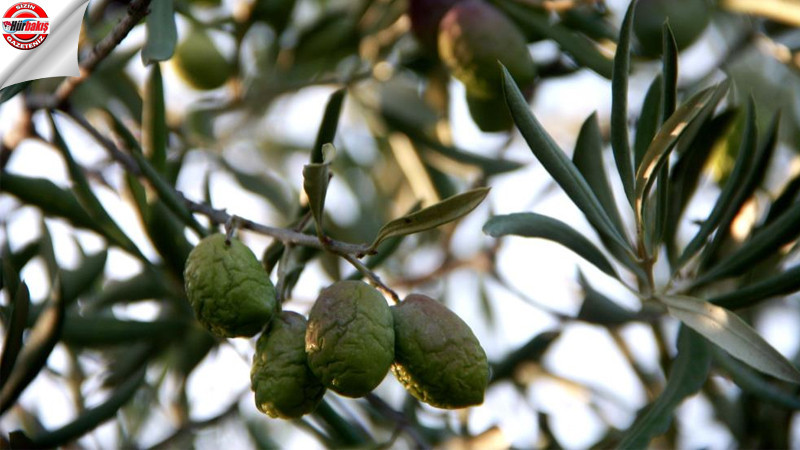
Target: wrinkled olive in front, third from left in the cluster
(350, 338)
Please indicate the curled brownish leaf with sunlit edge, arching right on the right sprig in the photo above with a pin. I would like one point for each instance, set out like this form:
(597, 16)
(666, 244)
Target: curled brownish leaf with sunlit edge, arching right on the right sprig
(664, 141)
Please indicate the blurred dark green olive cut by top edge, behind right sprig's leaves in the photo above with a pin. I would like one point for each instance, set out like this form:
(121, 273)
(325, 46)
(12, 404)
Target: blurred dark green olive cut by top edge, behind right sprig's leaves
(687, 19)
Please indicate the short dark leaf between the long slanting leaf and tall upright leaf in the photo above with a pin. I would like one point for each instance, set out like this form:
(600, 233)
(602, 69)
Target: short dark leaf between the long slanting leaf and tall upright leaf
(588, 159)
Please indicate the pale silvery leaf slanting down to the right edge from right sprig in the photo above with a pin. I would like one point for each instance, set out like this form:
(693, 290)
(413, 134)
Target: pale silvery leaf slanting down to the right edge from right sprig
(731, 333)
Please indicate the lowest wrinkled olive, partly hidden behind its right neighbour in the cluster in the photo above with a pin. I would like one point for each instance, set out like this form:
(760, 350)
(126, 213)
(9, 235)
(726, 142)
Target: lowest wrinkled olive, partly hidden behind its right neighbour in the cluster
(283, 383)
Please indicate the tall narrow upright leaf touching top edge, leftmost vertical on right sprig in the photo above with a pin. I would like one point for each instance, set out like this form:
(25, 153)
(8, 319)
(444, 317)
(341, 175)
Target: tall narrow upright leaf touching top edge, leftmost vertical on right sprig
(619, 105)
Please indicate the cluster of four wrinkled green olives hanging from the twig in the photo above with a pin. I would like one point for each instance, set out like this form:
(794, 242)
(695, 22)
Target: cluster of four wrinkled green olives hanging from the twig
(351, 340)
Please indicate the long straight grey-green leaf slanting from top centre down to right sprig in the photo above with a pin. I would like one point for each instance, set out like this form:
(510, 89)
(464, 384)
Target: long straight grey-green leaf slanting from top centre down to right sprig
(557, 164)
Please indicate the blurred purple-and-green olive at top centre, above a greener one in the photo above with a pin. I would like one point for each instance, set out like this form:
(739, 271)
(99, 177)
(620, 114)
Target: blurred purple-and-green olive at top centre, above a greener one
(473, 37)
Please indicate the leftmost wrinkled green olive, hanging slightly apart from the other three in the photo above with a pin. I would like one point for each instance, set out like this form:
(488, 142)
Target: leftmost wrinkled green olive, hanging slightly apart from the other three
(231, 294)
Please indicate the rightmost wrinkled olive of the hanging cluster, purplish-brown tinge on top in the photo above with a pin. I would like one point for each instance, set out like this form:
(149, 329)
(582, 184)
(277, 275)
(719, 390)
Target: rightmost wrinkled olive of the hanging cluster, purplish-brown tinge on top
(437, 357)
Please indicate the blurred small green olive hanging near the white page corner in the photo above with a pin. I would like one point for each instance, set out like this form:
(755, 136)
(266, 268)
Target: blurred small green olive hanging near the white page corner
(200, 63)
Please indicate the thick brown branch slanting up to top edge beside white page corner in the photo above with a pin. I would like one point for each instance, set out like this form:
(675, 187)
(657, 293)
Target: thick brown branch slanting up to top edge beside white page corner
(136, 11)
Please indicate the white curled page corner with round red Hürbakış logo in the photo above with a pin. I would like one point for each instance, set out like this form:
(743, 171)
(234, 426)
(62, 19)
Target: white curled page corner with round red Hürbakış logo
(40, 39)
